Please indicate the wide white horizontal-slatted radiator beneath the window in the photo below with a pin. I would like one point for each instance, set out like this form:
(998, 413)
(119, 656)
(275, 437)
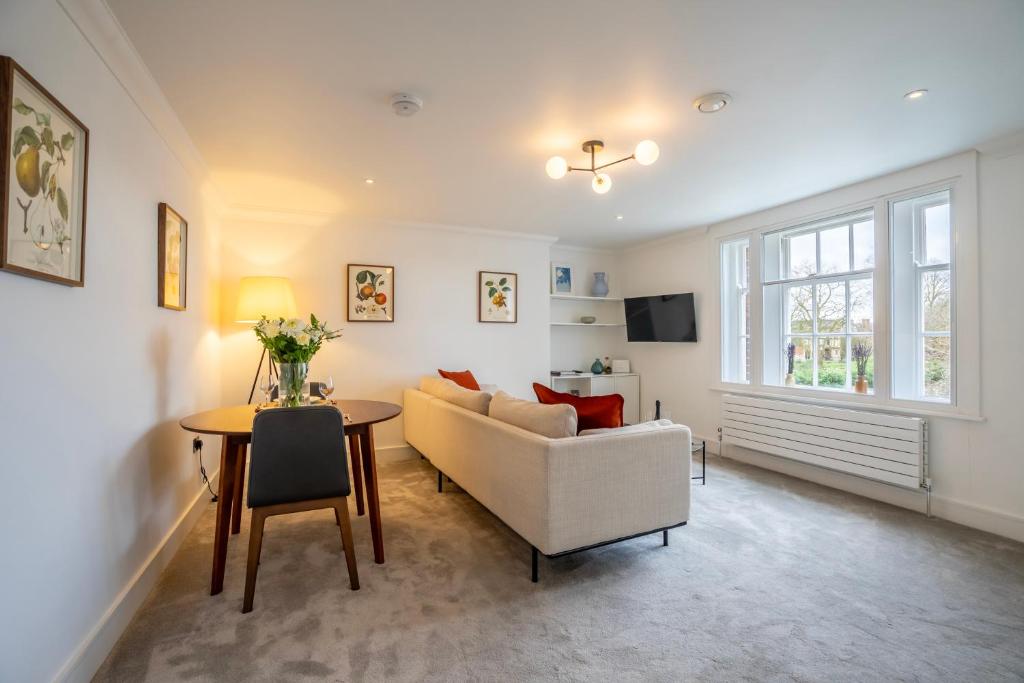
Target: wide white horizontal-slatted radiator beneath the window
(886, 448)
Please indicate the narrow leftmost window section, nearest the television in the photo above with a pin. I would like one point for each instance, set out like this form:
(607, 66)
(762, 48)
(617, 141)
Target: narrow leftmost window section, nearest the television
(736, 312)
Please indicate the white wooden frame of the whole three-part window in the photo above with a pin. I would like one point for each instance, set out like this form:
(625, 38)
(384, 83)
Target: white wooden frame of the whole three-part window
(958, 175)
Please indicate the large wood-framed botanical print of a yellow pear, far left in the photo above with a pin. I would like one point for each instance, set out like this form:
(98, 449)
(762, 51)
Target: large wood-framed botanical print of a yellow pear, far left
(45, 164)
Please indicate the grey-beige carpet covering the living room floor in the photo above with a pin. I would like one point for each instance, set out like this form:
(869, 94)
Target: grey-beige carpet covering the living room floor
(775, 579)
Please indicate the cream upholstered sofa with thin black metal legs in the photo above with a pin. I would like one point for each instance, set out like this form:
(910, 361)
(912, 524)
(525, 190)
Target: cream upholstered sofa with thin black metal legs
(562, 495)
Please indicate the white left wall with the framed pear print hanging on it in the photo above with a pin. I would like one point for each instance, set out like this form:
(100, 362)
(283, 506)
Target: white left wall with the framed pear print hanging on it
(96, 471)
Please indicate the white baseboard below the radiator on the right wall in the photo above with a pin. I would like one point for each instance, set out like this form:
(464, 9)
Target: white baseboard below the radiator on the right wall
(968, 515)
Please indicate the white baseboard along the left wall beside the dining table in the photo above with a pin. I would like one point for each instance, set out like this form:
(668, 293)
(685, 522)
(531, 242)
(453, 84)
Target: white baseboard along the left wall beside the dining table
(92, 653)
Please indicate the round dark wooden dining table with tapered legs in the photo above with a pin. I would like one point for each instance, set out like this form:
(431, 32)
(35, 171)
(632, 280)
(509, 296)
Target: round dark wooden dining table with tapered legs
(235, 424)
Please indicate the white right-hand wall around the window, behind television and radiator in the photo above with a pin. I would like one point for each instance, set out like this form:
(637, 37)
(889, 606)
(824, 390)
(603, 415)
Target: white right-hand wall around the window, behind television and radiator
(977, 467)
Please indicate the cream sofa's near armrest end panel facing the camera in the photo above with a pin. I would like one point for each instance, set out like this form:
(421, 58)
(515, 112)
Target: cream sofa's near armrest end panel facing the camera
(609, 487)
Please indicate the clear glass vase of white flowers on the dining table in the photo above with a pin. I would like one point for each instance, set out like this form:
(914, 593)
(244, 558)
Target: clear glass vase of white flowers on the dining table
(292, 345)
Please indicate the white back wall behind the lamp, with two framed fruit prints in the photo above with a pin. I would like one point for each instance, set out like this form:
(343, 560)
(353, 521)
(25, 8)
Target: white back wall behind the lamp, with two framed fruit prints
(436, 307)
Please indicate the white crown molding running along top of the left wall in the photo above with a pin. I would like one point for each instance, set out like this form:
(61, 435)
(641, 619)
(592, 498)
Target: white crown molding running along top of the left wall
(108, 38)
